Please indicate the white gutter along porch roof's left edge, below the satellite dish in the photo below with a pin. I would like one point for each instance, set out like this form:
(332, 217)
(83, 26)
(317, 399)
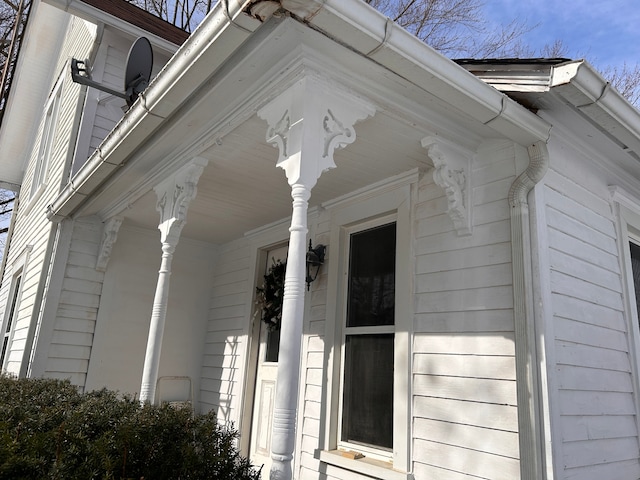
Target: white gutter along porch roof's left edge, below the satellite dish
(192, 64)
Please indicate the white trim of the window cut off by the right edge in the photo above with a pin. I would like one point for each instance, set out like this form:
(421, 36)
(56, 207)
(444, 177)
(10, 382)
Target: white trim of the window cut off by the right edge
(626, 209)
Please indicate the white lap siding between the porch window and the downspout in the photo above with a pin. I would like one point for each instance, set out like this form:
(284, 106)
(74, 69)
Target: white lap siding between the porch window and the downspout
(464, 391)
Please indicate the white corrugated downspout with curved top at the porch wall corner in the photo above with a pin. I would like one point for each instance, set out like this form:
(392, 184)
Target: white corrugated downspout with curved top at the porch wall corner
(527, 375)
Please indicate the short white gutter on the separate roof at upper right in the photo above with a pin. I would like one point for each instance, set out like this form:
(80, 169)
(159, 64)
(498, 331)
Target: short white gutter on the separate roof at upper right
(584, 88)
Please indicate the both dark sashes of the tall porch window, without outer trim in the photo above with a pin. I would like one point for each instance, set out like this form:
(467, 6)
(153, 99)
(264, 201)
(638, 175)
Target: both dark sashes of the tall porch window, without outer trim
(368, 339)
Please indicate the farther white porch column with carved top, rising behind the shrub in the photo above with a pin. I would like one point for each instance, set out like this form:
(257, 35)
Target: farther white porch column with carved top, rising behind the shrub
(174, 196)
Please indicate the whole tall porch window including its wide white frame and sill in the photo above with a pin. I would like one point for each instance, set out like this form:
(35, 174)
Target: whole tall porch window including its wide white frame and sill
(368, 396)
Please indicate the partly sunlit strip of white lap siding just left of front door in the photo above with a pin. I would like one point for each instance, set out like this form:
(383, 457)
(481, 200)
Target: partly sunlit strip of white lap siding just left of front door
(226, 340)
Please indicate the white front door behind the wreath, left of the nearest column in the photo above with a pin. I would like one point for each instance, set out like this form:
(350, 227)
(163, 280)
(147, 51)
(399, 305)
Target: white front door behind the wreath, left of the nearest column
(265, 391)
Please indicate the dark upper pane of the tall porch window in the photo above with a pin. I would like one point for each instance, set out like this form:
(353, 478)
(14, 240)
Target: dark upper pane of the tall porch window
(372, 265)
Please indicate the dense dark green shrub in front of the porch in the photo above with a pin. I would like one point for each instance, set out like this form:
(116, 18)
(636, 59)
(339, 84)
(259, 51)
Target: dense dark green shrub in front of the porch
(50, 431)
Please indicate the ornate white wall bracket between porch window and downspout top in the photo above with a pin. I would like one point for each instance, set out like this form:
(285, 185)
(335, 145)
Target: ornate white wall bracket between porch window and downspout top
(452, 170)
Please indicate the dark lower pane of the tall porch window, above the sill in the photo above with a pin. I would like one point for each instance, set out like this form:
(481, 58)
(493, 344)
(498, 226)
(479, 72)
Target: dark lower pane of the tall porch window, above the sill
(368, 390)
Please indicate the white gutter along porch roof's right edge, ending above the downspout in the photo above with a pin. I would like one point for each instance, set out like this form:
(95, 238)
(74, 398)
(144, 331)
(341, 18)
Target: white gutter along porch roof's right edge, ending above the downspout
(369, 32)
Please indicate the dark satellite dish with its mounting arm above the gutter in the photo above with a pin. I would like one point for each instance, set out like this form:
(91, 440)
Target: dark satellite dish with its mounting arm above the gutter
(136, 76)
